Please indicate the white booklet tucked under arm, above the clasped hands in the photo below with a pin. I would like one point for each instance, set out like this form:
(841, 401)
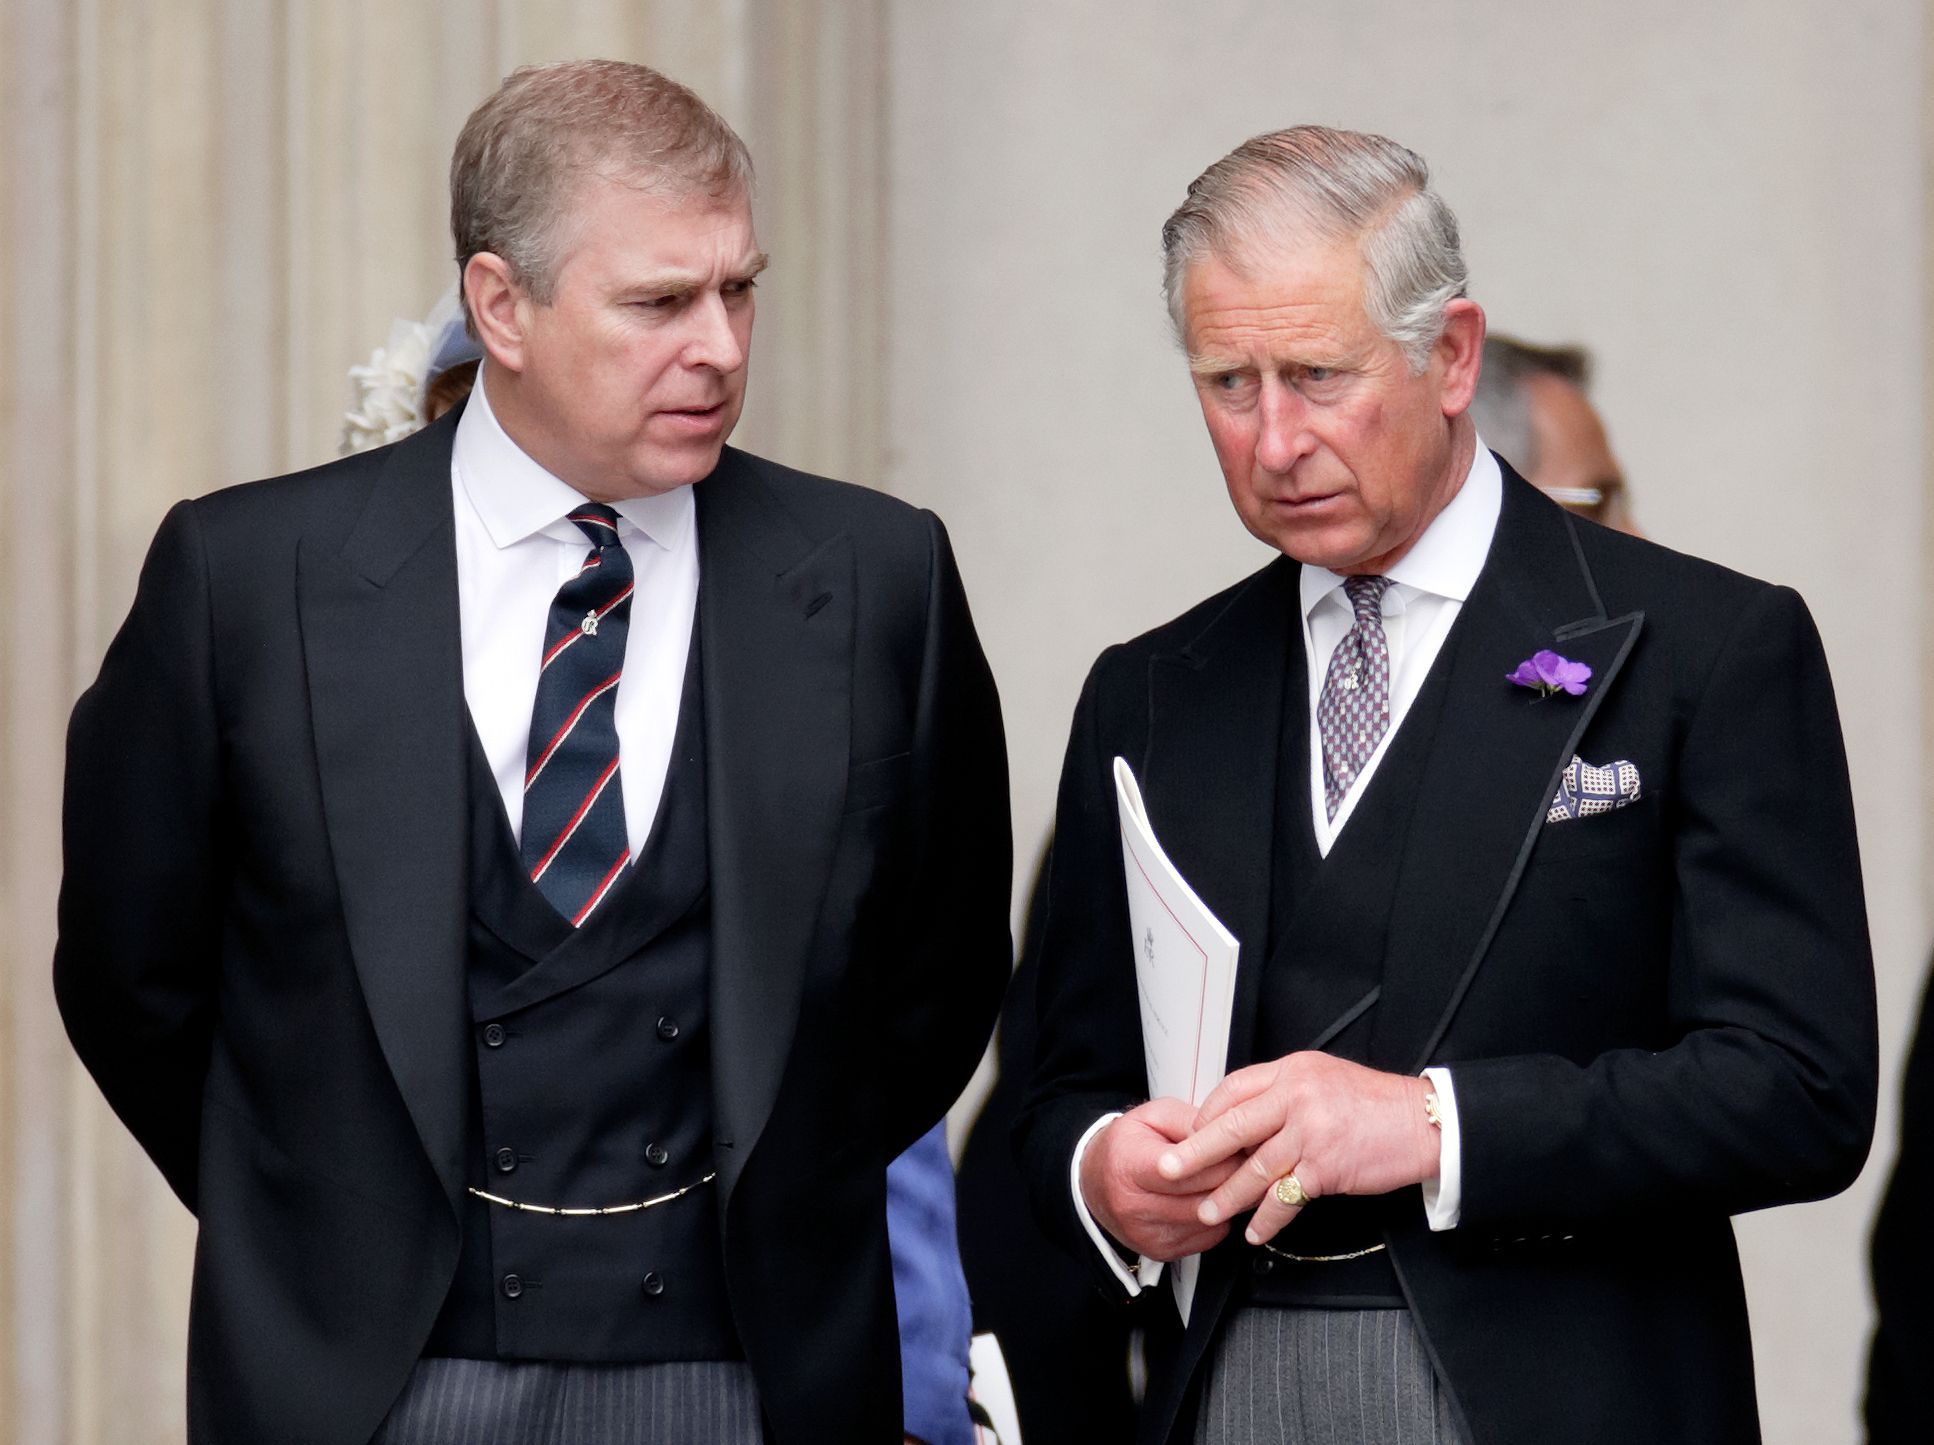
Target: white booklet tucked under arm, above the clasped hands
(1187, 982)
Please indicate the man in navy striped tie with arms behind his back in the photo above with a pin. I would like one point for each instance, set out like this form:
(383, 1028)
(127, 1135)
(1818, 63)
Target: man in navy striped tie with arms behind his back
(500, 868)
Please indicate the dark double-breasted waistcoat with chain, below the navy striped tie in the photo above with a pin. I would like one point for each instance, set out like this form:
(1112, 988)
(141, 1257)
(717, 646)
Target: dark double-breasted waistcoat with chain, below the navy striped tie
(593, 1086)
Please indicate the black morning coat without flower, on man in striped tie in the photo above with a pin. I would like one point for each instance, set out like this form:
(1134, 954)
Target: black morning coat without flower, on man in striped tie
(262, 920)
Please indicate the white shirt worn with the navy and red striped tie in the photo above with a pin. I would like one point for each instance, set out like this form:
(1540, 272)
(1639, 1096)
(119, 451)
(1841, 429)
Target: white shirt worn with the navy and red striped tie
(513, 550)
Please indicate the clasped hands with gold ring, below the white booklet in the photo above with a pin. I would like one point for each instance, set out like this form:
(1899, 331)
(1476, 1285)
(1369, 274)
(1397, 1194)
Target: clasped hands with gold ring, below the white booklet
(1165, 1179)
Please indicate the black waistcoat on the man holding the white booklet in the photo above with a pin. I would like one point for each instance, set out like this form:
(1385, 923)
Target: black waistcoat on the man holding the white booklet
(1328, 933)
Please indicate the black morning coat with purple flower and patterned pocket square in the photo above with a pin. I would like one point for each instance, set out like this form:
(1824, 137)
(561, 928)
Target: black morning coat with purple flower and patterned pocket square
(1655, 1018)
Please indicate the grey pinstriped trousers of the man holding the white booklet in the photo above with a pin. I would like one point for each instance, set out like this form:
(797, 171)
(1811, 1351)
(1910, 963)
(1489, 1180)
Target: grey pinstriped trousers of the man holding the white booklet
(1324, 1378)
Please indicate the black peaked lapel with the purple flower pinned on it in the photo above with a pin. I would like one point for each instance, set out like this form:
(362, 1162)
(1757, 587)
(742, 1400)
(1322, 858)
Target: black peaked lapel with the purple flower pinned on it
(1494, 765)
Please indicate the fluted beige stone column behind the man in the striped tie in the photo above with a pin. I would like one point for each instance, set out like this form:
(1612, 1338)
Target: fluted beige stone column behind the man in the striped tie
(212, 210)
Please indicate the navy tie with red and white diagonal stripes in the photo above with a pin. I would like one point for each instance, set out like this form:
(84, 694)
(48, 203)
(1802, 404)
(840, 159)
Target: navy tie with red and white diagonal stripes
(573, 837)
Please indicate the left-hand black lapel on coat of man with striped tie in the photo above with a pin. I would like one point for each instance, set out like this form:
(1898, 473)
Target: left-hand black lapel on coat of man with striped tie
(384, 657)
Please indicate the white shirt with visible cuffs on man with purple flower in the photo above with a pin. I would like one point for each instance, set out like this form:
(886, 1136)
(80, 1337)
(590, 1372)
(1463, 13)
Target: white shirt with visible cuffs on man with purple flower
(1430, 585)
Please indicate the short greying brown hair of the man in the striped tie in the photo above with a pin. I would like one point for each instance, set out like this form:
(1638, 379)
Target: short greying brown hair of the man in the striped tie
(548, 129)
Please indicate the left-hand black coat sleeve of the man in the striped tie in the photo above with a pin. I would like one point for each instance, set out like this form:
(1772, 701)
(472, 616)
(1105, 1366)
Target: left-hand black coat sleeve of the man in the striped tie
(136, 962)
